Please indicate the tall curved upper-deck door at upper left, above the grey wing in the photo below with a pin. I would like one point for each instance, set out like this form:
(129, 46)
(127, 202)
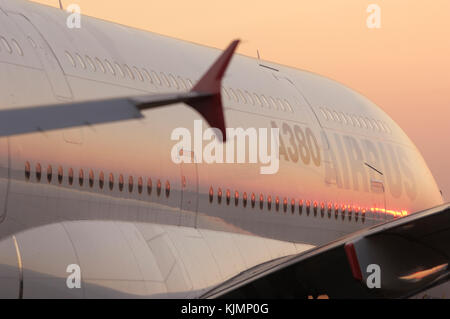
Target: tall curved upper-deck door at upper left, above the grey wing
(48, 59)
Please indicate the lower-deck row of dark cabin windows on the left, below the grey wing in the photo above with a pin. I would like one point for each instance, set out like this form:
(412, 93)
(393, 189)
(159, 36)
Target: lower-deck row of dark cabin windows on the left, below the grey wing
(91, 179)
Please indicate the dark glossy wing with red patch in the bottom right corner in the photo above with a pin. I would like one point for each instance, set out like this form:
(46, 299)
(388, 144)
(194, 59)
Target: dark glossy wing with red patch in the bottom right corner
(409, 255)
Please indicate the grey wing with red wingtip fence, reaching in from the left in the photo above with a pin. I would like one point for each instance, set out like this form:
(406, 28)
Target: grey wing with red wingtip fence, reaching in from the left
(205, 97)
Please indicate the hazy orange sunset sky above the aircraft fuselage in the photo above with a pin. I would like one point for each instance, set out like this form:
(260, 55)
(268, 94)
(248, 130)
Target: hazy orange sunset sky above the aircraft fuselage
(404, 66)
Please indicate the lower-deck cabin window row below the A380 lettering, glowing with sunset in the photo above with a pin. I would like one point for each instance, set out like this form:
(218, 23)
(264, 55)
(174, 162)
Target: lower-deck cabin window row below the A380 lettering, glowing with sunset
(310, 207)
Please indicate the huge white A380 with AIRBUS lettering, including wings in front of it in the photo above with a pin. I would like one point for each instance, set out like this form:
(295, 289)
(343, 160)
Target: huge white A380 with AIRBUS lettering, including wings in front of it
(88, 185)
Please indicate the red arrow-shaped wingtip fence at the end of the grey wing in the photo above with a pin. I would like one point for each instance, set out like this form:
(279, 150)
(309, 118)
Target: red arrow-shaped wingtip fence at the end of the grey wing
(211, 107)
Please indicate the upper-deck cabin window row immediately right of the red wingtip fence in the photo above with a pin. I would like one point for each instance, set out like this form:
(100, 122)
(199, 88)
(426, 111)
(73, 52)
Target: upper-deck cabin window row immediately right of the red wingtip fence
(258, 100)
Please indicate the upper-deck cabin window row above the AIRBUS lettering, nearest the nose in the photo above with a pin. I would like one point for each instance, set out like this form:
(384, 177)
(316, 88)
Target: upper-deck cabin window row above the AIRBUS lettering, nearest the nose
(355, 120)
